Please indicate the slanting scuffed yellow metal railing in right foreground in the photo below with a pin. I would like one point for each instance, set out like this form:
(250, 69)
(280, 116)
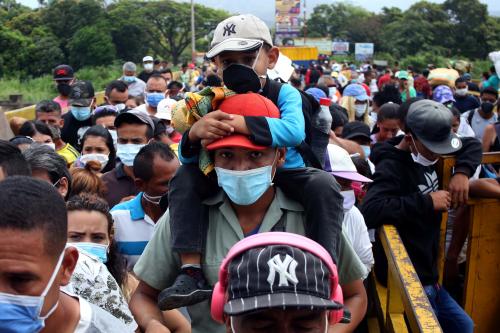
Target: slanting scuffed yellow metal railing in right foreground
(406, 297)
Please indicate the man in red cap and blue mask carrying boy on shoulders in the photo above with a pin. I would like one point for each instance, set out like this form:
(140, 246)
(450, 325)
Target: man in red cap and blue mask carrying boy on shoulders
(247, 203)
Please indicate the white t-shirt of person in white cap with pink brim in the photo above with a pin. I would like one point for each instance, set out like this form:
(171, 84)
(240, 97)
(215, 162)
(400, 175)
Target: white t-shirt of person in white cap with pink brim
(355, 229)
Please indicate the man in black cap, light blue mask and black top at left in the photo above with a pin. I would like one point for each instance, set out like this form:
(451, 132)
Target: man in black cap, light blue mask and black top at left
(78, 119)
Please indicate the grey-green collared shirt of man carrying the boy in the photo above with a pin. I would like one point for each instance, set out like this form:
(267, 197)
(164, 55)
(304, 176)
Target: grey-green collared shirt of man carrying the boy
(159, 265)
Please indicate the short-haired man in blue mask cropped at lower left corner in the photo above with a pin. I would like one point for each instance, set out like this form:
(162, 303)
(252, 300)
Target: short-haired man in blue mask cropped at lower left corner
(35, 263)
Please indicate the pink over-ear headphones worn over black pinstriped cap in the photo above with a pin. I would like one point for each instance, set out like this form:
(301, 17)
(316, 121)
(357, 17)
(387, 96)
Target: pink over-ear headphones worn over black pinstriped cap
(275, 238)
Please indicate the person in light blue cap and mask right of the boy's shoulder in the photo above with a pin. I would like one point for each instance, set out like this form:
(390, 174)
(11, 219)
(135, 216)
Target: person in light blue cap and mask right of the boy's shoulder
(355, 101)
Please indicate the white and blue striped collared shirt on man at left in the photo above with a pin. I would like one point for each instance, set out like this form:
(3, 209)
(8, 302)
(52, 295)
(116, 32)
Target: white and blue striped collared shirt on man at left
(133, 229)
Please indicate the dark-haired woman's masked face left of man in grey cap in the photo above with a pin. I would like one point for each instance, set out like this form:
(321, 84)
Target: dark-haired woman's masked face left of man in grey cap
(97, 145)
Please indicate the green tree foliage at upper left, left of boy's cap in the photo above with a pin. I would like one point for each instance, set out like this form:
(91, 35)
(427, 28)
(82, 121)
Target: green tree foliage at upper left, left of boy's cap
(96, 32)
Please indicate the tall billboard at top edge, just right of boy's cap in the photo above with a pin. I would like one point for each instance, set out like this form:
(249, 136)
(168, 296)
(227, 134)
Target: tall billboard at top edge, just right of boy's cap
(287, 16)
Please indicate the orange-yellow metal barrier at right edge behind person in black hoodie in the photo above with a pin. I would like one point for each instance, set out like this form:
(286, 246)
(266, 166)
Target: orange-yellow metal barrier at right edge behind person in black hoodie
(482, 280)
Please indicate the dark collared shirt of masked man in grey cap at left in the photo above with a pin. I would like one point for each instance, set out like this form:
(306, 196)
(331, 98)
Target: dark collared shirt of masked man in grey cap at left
(118, 185)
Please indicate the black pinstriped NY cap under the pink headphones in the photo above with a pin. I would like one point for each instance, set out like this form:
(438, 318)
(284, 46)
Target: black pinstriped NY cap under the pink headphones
(278, 276)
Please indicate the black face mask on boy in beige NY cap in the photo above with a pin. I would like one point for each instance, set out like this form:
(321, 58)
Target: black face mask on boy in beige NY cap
(241, 79)
